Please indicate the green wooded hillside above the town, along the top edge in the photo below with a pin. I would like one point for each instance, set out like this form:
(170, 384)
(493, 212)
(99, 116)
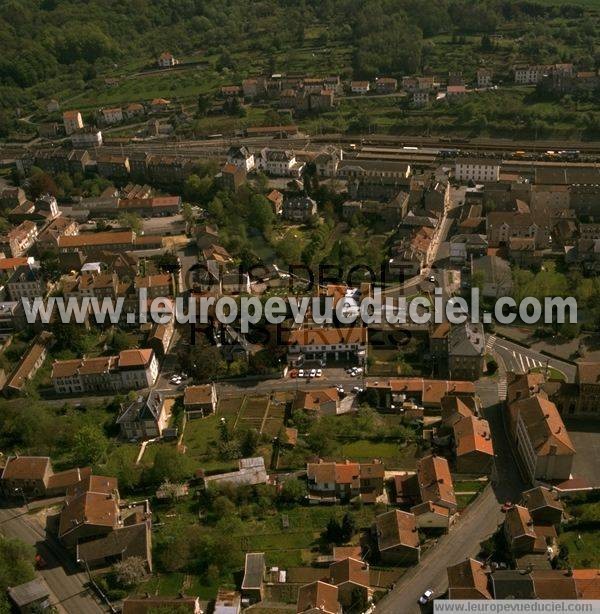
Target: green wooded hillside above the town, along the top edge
(67, 48)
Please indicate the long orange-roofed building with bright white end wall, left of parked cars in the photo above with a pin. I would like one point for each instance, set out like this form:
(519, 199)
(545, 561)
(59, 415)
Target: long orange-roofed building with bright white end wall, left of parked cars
(130, 370)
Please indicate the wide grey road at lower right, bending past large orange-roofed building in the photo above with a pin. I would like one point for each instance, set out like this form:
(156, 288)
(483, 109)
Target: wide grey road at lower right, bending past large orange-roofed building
(477, 524)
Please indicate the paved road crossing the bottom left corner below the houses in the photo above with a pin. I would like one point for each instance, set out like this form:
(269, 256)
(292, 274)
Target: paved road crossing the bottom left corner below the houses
(66, 582)
